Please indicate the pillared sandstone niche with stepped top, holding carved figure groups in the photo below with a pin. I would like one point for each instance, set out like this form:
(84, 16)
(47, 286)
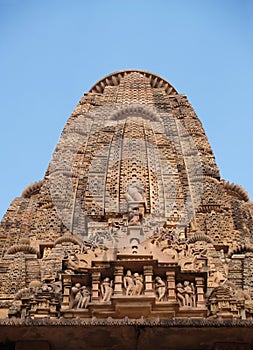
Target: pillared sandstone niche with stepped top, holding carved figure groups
(133, 286)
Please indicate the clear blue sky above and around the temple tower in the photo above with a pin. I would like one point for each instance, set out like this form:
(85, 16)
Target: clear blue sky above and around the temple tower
(53, 51)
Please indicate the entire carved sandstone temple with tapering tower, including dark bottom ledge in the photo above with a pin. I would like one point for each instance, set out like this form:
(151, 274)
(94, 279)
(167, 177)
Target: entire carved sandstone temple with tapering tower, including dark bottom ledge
(132, 239)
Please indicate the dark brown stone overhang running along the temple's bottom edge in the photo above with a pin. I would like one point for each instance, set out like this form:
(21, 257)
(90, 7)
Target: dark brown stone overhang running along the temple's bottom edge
(124, 334)
